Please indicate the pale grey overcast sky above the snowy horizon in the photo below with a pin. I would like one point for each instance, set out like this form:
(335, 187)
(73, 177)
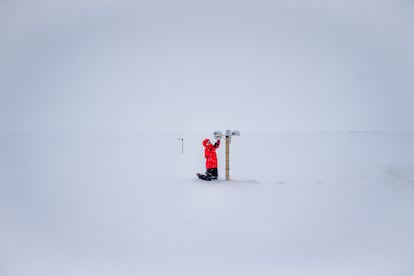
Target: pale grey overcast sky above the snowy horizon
(115, 66)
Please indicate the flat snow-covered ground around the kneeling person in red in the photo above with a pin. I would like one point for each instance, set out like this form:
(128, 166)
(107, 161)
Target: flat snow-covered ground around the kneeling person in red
(324, 204)
